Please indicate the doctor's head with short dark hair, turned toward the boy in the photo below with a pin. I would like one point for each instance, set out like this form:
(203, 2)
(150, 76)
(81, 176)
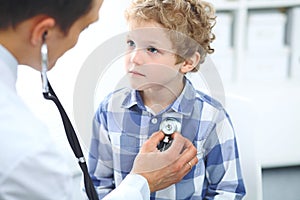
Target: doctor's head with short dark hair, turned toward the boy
(25, 25)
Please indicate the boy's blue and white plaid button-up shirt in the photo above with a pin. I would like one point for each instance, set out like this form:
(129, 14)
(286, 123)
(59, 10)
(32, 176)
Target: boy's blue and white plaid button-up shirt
(122, 124)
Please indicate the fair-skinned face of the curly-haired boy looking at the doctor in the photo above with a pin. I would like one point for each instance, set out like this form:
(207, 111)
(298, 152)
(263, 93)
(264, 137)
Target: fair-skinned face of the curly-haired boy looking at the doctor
(150, 61)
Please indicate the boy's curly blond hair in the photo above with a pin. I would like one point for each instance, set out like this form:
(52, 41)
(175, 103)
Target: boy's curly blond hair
(192, 18)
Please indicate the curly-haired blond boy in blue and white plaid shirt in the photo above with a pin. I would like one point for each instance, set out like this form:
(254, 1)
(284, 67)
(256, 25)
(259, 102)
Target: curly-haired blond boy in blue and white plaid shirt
(166, 40)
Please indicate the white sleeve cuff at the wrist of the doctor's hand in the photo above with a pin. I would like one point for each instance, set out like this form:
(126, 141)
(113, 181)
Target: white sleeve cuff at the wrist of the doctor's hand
(133, 187)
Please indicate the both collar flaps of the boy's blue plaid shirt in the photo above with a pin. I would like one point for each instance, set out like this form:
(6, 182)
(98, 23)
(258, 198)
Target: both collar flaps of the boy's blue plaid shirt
(181, 105)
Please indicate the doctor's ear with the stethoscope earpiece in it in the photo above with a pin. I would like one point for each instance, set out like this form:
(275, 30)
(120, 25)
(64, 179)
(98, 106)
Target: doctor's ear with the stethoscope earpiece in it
(41, 26)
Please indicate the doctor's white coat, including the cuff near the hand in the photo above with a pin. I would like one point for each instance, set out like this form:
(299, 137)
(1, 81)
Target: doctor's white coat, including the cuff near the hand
(31, 165)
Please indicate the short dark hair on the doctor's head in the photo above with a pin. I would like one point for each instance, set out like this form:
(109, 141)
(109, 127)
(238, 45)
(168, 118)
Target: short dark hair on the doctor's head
(65, 12)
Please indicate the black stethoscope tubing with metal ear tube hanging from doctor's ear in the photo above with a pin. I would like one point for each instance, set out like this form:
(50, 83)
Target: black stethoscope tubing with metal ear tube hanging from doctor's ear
(49, 94)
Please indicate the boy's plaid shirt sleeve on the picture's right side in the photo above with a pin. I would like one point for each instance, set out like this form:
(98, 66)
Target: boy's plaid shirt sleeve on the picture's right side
(223, 170)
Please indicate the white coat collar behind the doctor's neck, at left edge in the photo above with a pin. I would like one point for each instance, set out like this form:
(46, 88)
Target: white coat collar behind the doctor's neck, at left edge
(8, 67)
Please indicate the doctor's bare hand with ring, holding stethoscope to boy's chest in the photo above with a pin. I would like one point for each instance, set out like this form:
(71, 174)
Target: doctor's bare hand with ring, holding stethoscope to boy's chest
(162, 169)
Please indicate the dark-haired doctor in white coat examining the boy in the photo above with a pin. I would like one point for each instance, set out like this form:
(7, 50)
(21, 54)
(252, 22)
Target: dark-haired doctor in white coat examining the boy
(31, 166)
